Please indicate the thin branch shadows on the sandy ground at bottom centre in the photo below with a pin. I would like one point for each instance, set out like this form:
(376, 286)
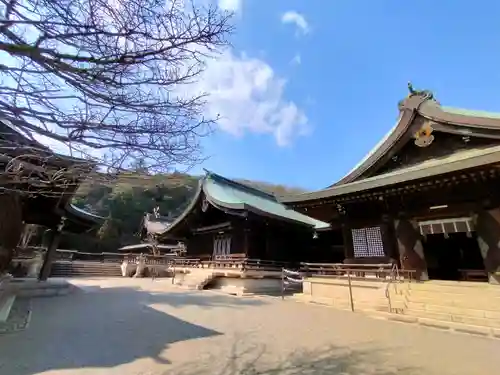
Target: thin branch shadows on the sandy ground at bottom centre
(332, 360)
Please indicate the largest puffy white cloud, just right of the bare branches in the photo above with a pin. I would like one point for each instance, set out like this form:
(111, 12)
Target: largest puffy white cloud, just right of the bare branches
(250, 99)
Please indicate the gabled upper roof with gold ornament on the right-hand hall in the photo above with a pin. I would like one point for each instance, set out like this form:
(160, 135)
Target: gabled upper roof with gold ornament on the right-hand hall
(440, 131)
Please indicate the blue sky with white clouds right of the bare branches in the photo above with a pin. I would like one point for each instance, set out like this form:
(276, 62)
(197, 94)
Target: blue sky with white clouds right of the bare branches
(304, 102)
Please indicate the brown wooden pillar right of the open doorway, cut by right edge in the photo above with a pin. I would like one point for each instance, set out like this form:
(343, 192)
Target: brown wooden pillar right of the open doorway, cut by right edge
(488, 237)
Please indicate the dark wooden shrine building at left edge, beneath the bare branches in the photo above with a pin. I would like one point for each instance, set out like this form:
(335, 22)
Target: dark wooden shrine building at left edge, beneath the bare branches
(45, 183)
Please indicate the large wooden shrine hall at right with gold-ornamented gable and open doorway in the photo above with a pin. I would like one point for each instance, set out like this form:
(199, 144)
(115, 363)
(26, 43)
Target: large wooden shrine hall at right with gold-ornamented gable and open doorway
(426, 197)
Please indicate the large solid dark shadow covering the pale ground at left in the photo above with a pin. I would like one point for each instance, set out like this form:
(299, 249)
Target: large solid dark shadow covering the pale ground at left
(98, 329)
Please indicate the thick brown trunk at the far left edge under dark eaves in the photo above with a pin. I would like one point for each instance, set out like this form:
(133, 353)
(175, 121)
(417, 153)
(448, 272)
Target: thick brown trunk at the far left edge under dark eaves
(11, 228)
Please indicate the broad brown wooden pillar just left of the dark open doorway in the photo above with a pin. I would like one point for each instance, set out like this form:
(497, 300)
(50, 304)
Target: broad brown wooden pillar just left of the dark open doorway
(411, 251)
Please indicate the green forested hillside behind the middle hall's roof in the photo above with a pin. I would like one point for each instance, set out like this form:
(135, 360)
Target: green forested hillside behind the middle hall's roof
(124, 200)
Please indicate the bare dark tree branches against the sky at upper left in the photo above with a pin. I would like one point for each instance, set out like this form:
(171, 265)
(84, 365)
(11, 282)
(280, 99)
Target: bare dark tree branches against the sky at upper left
(110, 78)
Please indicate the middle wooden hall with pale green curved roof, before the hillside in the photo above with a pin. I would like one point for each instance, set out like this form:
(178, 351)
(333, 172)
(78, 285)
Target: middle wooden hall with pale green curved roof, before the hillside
(227, 218)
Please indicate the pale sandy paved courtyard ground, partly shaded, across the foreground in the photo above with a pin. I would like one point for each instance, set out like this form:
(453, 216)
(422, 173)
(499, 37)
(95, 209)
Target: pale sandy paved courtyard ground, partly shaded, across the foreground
(143, 327)
